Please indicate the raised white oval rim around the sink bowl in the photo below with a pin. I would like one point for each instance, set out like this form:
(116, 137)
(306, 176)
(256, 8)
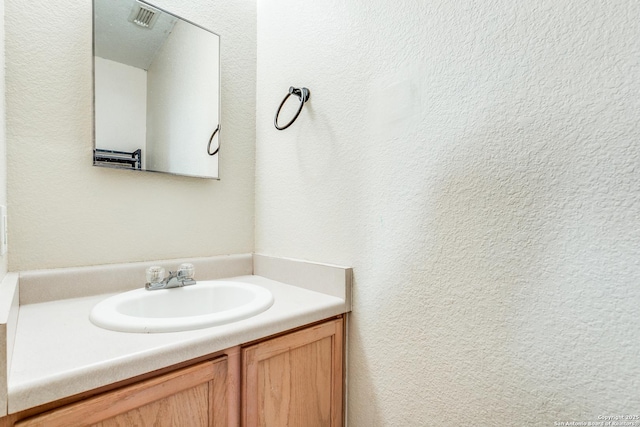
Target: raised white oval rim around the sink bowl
(105, 313)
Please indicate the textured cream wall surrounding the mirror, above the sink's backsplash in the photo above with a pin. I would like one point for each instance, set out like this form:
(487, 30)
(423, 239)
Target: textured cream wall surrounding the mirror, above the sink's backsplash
(65, 212)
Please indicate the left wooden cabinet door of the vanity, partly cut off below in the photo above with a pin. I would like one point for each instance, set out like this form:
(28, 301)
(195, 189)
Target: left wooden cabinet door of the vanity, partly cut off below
(193, 396)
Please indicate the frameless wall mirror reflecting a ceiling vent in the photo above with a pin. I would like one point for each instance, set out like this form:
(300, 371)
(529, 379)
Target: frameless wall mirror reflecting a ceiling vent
(156, 90)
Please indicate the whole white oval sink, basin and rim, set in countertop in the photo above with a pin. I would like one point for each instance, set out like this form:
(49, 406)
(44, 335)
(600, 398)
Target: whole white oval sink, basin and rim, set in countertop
(205, 304)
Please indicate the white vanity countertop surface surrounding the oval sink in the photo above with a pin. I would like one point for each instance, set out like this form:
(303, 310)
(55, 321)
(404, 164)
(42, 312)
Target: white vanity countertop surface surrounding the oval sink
(58, 352)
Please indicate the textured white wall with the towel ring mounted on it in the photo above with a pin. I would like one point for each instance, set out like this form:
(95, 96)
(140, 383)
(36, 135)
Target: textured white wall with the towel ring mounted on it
(478, 165)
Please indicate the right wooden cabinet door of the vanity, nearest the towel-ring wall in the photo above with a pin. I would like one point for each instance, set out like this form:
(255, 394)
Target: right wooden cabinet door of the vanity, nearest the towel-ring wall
(295, 380)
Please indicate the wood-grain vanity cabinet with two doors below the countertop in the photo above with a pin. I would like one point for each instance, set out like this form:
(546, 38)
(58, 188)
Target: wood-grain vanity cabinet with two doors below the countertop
(292, 380)
